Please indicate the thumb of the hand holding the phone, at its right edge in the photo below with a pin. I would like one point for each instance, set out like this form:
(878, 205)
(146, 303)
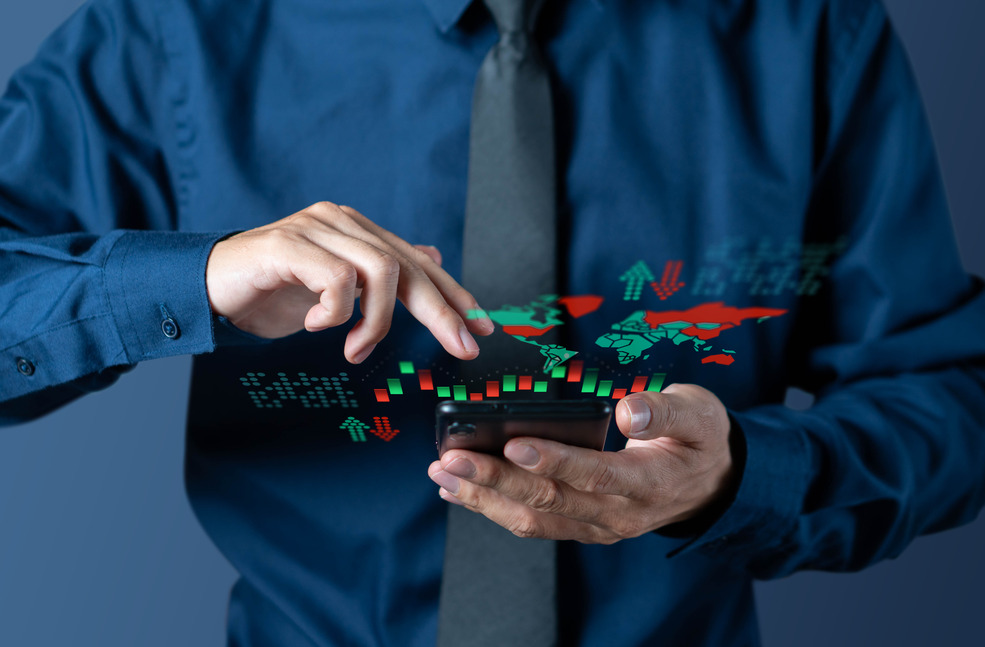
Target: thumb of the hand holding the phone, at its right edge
(685, 412)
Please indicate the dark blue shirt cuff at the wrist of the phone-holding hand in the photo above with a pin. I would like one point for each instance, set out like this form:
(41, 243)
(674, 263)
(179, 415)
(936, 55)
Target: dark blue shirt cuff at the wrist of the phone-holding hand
(770, 494)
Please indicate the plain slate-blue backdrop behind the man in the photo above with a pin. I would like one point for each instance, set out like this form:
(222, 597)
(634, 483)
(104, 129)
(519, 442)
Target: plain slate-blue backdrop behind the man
(98, 546)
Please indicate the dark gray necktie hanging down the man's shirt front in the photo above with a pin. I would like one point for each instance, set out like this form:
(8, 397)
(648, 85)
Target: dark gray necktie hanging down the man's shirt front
(498, 590)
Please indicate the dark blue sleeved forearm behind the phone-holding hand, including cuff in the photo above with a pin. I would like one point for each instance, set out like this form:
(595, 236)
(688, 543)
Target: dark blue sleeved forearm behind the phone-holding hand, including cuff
(858, 476)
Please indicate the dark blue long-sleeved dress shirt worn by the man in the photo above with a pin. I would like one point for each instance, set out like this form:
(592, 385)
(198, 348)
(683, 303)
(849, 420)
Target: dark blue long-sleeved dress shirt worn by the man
(777, 148)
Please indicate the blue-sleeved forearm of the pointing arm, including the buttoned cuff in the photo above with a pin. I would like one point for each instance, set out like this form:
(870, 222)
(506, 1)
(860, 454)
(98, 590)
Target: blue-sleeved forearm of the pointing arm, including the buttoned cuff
(76, 305)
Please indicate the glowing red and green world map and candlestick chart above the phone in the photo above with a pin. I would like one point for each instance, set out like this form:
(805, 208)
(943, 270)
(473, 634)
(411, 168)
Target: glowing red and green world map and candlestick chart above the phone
(735, 268)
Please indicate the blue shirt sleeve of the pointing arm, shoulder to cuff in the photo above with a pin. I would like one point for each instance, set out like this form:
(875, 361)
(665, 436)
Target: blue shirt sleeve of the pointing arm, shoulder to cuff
(93, 276)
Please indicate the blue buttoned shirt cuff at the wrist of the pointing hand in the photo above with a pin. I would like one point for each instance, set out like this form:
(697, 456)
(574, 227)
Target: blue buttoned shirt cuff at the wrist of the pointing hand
(155, 281)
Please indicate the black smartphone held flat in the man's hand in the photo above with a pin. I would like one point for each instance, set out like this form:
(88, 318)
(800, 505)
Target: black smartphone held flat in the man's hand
(485, 426)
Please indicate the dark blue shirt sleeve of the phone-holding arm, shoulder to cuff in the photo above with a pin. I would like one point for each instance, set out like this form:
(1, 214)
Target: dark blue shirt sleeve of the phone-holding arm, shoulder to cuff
(894, 352)
